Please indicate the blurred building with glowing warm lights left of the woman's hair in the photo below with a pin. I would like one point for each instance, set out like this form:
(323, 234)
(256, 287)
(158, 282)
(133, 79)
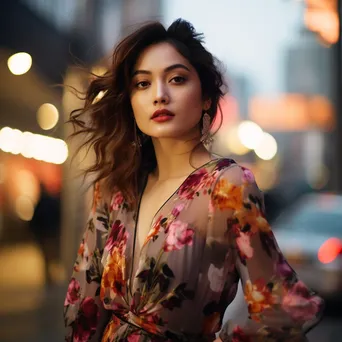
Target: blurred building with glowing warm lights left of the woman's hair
(61, 41)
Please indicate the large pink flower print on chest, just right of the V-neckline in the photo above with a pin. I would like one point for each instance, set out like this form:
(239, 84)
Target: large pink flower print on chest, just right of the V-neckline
(178, 236)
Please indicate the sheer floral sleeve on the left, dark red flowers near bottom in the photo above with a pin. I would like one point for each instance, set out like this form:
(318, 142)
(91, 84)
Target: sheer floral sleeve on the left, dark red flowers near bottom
(84, 314)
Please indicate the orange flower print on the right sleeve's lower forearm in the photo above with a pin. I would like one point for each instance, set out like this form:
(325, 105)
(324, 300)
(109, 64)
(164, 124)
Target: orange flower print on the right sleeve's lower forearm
(258, 297)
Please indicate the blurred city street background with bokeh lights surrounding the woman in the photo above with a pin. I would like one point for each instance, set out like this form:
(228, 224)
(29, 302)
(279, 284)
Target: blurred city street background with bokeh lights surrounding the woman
(282, 119)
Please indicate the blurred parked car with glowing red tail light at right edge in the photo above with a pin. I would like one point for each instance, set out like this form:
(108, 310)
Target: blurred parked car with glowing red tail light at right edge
(310, 236)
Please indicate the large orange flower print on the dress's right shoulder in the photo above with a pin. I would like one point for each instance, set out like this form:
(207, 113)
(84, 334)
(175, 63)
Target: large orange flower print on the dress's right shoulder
(227, 196)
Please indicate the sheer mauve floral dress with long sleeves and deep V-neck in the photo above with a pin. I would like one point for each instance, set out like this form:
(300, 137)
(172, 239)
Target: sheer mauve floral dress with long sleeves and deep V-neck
(208, 235)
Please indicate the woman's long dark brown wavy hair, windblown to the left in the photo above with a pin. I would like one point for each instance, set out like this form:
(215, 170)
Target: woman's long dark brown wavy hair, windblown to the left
(109, 125)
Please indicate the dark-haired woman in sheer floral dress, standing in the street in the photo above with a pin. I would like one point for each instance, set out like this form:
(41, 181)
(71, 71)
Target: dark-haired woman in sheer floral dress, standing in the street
(172, 229)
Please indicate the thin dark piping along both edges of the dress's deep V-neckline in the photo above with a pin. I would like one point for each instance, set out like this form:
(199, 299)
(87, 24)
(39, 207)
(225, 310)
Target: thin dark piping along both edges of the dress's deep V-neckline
(136, 220)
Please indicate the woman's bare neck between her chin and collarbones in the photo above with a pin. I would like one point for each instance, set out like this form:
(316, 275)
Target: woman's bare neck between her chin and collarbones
(178, 158)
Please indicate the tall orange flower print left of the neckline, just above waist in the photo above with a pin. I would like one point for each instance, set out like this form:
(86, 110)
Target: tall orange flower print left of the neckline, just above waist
(114, 274)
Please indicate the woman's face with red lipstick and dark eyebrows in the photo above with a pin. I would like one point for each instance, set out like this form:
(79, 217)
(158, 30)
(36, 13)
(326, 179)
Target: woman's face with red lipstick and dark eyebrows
(163, 80)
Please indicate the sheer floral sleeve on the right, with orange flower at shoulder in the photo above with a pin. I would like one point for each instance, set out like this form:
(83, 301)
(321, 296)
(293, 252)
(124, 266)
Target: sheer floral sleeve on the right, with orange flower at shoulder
(281, 307)
